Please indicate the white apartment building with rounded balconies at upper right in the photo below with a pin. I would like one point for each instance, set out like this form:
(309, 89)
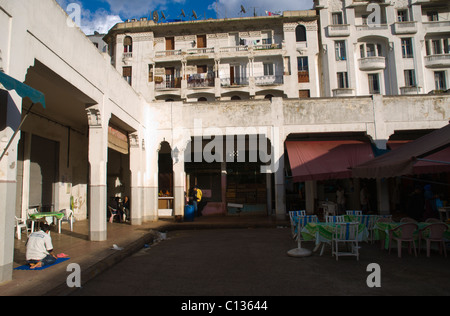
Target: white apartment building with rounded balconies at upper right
(384, 47)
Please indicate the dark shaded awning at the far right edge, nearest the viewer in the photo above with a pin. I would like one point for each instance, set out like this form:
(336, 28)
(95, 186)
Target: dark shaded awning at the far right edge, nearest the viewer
(405, 160)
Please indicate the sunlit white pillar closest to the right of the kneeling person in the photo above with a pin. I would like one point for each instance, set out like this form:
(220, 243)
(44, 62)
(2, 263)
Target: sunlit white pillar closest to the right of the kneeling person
(98, 158)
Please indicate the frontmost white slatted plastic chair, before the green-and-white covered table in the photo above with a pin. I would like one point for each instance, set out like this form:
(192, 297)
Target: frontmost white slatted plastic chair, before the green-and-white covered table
(345, 233)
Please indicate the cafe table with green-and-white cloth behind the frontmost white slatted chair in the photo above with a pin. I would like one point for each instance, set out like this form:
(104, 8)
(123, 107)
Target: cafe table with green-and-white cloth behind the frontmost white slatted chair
(323, 233)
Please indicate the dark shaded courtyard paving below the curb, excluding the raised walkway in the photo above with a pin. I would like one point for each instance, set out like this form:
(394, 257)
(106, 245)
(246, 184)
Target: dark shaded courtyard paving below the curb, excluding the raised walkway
(253, 262)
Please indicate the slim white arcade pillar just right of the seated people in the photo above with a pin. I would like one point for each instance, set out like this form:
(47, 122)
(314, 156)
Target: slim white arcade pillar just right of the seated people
(136, 180)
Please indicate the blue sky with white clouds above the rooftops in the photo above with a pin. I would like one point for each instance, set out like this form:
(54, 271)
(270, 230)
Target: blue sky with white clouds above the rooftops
(101, 15)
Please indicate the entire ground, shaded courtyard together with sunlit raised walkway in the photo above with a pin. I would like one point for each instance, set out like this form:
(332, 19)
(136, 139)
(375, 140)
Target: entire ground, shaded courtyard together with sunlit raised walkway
(219, 256)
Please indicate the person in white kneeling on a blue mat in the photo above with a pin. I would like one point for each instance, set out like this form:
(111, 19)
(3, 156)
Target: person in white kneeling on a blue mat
(40, 248)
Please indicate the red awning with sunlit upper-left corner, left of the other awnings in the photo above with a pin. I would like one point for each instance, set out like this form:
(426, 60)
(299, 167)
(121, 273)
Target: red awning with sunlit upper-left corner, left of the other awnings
(322, 160)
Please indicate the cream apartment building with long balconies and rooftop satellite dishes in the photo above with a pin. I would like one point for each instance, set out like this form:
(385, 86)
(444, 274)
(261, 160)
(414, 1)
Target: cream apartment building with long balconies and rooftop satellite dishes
(224, 59)
